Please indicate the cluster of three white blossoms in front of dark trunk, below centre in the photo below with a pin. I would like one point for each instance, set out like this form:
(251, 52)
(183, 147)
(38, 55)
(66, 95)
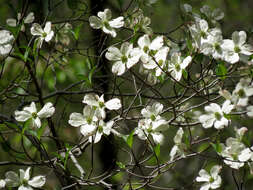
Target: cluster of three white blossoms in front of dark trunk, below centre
(91, 121)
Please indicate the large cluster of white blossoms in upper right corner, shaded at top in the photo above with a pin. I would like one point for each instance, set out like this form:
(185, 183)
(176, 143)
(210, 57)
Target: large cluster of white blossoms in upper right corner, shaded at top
(209, 41)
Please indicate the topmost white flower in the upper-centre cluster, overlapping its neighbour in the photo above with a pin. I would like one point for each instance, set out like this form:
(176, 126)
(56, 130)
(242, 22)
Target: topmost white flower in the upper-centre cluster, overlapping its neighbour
(149, 50)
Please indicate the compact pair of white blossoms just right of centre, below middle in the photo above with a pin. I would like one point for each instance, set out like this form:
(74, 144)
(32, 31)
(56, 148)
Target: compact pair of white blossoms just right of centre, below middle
(152, 124)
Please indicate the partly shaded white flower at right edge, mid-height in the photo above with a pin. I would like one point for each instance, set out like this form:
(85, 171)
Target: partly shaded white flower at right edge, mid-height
(242, 92)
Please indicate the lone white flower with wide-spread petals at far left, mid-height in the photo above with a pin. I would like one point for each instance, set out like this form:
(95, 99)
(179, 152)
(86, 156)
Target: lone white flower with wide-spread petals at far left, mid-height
(30, 112)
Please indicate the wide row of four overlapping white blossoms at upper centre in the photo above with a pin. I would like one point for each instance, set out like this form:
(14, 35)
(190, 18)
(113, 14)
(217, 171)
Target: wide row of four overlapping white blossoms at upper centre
(153, 55)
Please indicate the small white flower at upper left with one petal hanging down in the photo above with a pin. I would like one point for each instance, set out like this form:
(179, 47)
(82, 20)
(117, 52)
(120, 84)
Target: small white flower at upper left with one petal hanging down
(44, 34)
